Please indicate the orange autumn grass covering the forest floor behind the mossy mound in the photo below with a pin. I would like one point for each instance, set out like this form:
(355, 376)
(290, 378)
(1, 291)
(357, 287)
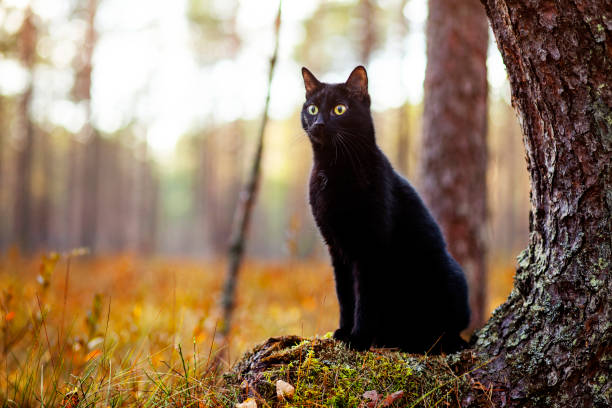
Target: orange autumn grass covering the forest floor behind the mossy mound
(116, 331)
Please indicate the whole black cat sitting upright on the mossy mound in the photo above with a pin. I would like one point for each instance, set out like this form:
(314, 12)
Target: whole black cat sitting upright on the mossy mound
(396, 283)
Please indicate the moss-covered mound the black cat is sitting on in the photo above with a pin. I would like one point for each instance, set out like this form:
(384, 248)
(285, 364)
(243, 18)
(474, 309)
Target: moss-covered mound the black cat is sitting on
(325, 373)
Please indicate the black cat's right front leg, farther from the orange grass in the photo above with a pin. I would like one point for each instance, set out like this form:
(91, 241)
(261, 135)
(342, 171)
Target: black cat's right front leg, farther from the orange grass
(364, 289)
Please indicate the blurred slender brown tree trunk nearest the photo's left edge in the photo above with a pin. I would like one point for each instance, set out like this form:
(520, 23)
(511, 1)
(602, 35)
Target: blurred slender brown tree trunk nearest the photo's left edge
(22, 227)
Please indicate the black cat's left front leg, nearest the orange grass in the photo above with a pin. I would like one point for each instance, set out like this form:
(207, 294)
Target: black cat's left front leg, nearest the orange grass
(344, 289)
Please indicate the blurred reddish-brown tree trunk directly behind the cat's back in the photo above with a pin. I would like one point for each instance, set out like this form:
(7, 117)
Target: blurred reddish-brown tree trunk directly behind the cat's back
(454, 155)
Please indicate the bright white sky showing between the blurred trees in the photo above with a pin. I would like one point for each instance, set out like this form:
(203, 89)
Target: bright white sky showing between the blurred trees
(146, 68)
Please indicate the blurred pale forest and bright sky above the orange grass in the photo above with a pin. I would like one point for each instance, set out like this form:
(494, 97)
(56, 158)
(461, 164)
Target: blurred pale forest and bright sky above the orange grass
(126, 127)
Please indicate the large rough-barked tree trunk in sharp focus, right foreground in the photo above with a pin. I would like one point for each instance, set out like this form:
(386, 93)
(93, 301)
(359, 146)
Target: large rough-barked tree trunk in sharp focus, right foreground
(552, 338)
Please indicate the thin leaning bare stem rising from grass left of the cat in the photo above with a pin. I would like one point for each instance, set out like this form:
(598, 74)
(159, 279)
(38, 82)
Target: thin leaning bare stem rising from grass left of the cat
(245, 206)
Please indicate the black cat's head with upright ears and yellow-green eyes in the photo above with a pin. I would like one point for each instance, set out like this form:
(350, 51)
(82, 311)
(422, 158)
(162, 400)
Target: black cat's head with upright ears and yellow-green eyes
(337, 111)
